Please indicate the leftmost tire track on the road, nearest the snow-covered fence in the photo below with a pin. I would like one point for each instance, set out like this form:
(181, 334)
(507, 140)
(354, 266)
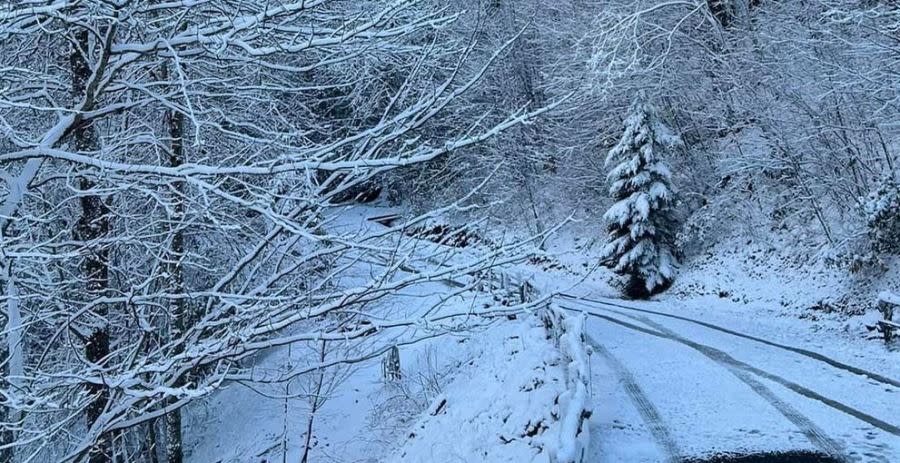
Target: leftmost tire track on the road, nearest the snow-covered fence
(645, 408)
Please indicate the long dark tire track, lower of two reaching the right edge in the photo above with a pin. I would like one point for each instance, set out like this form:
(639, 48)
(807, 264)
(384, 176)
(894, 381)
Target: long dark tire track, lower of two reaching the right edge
(806, 392)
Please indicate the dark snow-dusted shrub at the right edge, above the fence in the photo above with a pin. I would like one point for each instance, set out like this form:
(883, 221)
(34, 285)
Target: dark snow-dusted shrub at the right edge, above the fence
(882, 213)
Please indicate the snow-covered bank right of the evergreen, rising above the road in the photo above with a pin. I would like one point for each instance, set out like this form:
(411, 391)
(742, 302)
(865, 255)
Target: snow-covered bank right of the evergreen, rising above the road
(780, 278)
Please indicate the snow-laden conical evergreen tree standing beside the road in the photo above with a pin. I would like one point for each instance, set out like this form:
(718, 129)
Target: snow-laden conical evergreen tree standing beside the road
(641, 224)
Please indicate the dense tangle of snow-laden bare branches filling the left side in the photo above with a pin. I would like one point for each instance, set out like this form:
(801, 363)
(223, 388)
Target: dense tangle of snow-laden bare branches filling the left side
(170, 170)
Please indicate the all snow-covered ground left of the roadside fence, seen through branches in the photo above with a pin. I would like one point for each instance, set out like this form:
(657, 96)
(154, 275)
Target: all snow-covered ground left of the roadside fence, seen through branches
(505, 391)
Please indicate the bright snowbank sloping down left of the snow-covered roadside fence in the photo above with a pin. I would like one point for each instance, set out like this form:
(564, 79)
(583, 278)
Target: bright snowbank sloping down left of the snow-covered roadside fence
(520, 399)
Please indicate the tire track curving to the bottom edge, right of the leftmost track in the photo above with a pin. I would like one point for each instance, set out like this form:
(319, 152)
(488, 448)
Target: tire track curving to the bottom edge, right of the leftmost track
(816, 435)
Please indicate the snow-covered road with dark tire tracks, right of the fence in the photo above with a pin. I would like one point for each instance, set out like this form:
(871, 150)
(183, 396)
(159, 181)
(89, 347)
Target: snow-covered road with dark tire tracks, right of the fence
(672, 387)
